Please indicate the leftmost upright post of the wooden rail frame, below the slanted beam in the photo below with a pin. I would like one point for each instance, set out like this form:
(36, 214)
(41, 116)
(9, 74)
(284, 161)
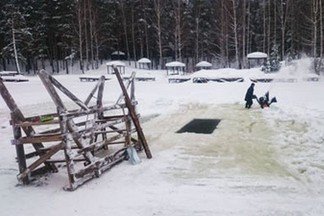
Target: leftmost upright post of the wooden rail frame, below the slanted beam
(19, 149)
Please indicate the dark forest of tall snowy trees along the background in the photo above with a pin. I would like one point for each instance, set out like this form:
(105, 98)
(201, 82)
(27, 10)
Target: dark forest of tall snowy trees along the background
(85, 32)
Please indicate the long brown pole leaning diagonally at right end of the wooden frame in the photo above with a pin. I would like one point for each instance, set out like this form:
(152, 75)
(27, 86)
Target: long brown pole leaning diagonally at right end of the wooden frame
(133, 115)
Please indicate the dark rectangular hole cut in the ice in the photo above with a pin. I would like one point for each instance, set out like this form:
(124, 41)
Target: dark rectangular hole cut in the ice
(204, 126)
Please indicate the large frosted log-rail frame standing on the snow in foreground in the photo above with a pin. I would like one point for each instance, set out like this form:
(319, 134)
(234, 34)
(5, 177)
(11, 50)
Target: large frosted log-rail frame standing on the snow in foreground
(89, 140)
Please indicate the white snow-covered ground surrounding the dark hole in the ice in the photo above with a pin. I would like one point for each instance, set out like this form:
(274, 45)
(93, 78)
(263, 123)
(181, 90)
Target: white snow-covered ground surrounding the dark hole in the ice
(257, 162)
